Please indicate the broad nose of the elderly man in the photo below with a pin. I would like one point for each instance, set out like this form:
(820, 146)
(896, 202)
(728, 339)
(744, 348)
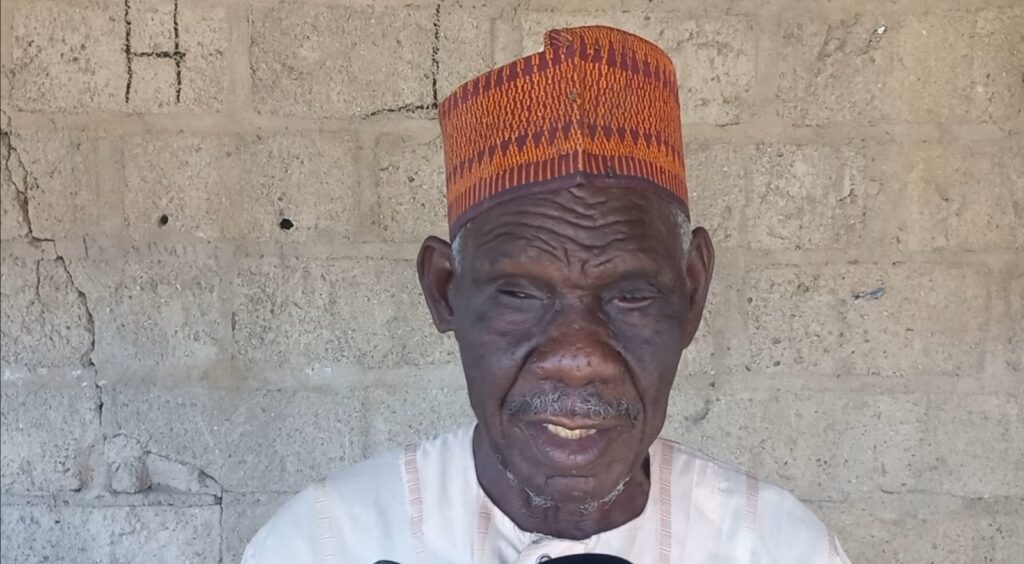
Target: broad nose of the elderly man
(579, 354)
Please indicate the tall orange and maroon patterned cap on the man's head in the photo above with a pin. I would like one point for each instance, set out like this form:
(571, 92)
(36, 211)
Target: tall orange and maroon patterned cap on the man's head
(598, 107)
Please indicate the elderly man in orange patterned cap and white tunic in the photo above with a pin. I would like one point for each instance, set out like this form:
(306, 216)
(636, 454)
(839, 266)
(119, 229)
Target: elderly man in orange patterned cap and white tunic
(573, 285)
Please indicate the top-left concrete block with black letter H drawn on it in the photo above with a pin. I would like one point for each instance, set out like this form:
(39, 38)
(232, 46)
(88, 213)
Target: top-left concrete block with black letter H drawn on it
(108, 56)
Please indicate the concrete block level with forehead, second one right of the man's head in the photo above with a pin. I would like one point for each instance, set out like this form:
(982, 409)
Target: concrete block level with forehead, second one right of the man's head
(809, 197)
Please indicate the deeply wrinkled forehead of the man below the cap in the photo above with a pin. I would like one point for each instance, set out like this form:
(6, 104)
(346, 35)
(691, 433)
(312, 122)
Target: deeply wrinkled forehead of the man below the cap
(611, 229)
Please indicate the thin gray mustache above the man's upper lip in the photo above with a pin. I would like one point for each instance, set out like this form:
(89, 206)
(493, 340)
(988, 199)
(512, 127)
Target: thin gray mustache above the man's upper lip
(586, 404)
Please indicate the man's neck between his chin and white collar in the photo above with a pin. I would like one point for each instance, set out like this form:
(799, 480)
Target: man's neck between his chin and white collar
(537, 512)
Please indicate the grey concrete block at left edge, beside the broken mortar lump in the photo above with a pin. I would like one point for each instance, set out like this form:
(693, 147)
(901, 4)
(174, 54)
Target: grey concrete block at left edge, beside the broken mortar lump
(48, 440)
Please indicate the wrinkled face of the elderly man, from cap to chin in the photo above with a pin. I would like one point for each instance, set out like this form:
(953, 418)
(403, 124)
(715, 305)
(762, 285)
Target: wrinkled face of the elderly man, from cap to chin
(572, 310)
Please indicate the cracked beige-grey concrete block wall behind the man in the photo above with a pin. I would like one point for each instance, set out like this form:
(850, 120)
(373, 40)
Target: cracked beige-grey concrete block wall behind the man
(210, 212)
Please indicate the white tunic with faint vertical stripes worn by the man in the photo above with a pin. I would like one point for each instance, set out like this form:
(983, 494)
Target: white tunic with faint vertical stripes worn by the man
(424, 505)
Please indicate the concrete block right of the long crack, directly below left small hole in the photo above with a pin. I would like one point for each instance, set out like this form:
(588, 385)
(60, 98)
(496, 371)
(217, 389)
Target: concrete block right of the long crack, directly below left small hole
(153, 313)
